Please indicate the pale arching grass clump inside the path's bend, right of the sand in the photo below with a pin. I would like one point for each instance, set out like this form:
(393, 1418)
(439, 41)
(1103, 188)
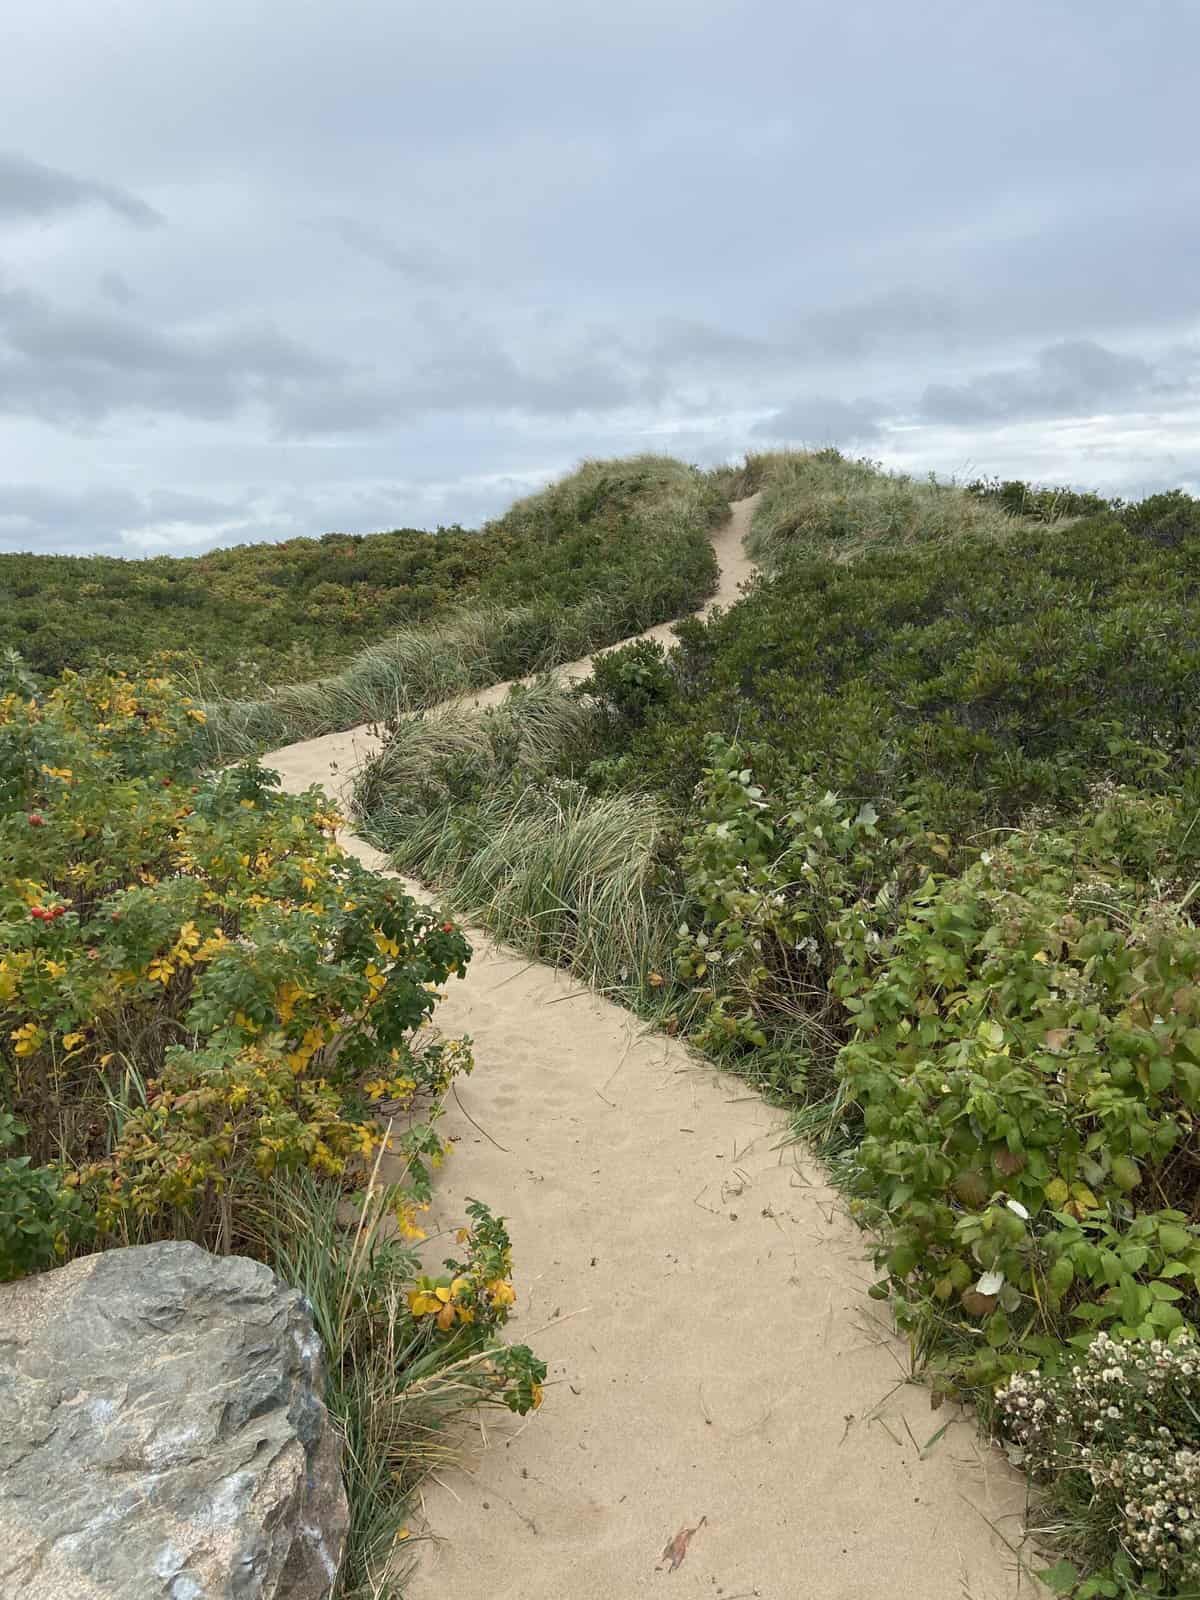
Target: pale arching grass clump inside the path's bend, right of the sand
(470, 801)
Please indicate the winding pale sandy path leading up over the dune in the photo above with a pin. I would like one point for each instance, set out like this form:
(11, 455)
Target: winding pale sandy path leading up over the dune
(698, 1294)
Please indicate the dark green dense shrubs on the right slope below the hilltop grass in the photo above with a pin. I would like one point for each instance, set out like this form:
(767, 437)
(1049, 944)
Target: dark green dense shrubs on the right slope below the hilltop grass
(969, 682)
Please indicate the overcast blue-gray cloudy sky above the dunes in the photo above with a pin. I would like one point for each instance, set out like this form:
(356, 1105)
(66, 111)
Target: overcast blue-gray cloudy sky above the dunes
(274, 270)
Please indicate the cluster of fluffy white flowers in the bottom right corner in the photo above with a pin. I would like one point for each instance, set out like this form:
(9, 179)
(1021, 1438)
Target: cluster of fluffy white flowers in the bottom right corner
(1129, 1418)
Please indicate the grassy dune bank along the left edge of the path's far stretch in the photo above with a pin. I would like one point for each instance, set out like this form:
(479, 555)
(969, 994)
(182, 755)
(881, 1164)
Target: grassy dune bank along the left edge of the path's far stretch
(609, 551)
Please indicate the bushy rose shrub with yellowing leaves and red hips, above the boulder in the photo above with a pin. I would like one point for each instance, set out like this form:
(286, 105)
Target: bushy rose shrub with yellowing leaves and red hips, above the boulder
(198, 988)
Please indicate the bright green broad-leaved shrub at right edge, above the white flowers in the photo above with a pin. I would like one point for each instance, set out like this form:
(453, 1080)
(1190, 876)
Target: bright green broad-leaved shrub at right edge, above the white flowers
(1026, 1062)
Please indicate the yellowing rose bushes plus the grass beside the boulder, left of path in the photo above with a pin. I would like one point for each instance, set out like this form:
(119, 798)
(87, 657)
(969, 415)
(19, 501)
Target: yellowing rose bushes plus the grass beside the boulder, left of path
(215, 1026)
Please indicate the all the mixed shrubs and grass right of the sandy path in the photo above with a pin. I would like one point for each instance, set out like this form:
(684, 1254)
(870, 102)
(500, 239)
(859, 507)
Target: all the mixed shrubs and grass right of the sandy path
(910, 836)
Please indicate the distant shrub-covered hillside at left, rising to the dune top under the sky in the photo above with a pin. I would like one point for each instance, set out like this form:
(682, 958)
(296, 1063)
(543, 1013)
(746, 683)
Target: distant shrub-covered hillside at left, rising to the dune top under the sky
(241, 620)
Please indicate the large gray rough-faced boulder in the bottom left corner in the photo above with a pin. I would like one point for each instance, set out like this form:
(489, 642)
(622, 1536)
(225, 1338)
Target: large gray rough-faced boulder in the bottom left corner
(162, 1434)
